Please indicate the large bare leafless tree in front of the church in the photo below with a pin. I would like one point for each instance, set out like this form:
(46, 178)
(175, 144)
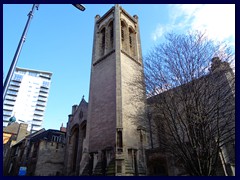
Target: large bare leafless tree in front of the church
(192, 100)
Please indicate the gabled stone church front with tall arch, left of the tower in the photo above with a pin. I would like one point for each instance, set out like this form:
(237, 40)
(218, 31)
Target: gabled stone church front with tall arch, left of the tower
(76, 155)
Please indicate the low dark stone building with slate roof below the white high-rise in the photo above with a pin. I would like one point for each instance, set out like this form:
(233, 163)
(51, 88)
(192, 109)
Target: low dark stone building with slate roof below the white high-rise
(40, 153)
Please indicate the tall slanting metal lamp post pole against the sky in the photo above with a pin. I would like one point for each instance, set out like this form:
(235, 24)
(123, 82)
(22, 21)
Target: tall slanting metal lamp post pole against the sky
(17, 53)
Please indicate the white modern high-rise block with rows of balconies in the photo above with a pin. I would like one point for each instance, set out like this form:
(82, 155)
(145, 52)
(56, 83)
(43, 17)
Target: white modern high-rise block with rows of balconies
(26, 97)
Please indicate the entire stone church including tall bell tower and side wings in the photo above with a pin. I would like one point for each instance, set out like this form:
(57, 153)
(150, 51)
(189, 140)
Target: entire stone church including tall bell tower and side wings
(111, 135)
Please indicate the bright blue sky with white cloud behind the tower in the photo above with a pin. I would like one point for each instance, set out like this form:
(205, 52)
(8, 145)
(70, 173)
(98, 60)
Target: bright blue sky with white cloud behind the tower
(60, 40)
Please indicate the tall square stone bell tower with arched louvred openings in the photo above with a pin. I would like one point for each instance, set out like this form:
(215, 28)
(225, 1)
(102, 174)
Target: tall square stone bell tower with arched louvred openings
(115, 135)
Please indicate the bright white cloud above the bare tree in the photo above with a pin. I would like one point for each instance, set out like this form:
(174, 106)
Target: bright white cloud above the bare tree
(217, 20)
